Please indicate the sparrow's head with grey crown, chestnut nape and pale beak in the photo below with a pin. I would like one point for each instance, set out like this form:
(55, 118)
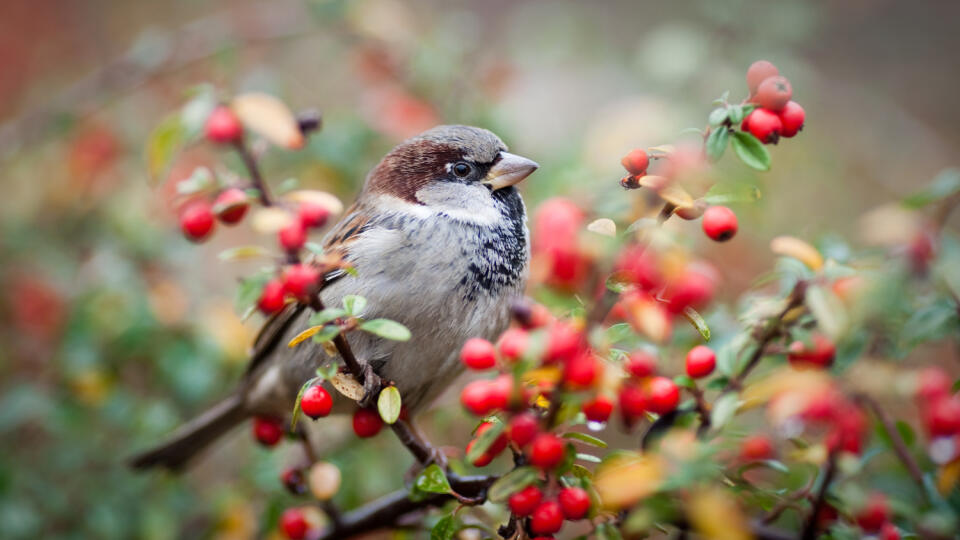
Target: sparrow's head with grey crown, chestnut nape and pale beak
(453, 169)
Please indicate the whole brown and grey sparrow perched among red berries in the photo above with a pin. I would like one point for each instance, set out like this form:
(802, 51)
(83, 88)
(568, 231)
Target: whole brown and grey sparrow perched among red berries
(438, 240)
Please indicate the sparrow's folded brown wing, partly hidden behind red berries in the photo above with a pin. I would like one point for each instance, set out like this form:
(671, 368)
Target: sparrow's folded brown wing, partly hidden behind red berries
(337, 241)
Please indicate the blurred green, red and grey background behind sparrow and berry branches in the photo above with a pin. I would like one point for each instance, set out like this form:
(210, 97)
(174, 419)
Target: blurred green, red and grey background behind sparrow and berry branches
(113, 328)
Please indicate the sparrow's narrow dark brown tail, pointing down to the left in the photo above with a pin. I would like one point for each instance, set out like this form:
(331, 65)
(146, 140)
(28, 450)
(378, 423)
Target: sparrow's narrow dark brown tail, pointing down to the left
(193, 436)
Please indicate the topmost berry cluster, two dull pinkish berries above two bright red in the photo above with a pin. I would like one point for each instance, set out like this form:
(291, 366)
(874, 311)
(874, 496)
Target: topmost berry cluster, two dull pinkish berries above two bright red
(776, 115)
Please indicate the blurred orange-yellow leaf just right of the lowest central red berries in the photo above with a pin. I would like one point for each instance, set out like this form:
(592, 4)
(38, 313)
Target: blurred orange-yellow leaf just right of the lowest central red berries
(625, 479)
